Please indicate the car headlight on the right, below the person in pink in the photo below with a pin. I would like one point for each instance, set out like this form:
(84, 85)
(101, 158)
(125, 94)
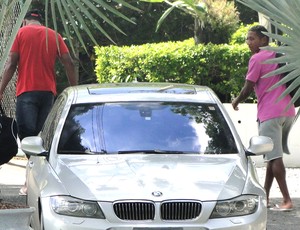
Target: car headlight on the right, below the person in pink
(239, 206)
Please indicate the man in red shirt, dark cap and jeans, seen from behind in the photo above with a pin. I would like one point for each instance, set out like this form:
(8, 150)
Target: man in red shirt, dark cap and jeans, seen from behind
(35, 51)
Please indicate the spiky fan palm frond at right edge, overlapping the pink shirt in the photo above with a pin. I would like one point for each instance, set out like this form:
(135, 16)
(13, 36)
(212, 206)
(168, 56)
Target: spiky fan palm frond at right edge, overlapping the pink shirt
(283, 14)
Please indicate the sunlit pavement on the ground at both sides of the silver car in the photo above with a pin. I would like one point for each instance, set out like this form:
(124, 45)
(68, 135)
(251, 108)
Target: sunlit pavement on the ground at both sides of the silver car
(12, 177)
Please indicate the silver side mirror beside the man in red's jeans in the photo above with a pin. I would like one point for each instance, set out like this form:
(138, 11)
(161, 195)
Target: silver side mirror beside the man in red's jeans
(33, 146)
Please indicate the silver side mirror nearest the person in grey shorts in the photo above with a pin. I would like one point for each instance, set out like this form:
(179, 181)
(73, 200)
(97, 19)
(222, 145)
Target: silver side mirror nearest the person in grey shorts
(260, 145)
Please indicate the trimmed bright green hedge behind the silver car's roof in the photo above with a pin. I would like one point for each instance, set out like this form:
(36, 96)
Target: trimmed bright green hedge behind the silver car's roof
(221, 67)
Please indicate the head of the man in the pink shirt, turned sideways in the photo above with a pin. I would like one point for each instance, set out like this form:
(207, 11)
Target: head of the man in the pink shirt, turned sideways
(256, 38)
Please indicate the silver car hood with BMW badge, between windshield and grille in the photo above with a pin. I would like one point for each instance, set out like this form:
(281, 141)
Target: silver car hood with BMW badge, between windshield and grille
(155, 177)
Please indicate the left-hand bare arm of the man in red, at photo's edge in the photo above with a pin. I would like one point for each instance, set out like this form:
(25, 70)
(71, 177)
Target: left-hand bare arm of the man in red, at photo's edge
(9, 71)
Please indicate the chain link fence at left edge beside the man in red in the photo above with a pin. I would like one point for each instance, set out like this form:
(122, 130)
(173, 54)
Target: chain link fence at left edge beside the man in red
(9, 97)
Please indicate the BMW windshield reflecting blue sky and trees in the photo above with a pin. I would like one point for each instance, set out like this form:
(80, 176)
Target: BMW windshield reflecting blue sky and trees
(146, 127)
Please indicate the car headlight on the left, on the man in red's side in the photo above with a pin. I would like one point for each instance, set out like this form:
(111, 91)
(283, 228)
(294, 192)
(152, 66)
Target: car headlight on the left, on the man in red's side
(69, 206)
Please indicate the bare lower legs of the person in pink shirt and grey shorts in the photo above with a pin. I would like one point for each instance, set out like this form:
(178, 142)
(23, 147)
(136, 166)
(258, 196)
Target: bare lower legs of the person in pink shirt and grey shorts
(276, 169)
